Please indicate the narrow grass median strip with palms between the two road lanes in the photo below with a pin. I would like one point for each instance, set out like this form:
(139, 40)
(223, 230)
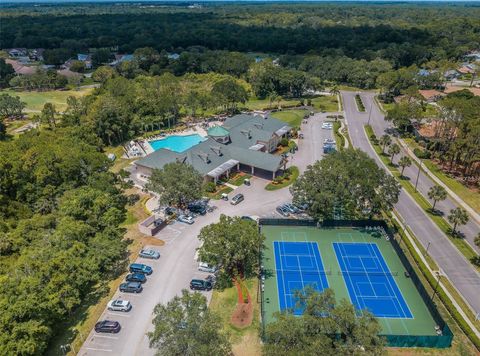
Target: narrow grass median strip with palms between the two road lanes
(463, 247)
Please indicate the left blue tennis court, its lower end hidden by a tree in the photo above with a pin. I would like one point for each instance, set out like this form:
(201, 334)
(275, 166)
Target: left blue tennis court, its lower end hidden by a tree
(298, 264)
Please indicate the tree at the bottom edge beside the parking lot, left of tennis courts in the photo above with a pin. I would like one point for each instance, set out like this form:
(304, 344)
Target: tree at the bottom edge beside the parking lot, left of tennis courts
(185, 326)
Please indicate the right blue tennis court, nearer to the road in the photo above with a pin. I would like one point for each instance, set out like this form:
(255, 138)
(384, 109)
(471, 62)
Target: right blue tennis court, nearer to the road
(369, 281)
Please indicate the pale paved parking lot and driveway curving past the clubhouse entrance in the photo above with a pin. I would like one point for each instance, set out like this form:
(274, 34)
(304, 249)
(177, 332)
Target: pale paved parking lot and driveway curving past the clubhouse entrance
(176, 266)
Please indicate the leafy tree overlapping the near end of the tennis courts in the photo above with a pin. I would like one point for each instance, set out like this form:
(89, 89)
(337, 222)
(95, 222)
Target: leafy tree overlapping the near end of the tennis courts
(315, 331)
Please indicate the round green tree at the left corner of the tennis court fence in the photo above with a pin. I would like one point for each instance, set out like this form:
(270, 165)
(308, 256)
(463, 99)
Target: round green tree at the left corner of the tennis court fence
(233, 244)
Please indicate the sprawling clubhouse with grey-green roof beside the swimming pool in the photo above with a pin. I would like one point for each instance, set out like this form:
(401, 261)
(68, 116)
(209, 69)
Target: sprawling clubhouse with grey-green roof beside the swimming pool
(244, 143)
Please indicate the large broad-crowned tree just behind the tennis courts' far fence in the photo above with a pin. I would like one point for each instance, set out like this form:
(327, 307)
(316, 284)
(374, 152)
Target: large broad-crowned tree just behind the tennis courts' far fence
(347, 180)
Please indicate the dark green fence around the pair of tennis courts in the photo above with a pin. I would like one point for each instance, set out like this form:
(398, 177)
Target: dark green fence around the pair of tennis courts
(444, 336)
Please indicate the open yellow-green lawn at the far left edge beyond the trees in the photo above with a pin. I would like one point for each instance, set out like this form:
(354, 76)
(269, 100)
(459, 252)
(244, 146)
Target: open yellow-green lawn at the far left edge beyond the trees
(36, 99)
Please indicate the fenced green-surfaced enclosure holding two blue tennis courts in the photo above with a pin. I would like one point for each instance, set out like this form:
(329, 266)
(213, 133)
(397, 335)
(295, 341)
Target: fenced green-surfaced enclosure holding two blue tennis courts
(363, 265)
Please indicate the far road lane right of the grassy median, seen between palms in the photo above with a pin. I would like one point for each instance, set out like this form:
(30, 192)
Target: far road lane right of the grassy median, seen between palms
(380, 126)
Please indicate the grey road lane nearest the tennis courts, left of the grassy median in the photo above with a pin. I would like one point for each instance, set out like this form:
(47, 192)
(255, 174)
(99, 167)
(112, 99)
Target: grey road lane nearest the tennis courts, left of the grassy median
(453, 264)
